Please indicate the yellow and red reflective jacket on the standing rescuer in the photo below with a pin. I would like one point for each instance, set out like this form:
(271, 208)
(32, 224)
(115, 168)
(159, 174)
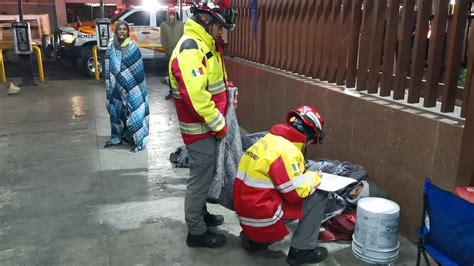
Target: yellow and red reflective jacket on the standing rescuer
(197, 80)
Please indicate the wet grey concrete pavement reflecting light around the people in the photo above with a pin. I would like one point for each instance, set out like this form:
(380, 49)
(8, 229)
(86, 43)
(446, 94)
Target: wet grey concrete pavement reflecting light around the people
(65, 200)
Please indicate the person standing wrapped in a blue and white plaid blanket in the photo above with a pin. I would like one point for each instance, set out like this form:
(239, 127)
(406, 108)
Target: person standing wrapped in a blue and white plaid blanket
(126, 91)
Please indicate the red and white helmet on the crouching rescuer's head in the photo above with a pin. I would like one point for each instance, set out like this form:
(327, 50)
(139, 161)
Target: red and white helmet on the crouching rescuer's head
(311, 118)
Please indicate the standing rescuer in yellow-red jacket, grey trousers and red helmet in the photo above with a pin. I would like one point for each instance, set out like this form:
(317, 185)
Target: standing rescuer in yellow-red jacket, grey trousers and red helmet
(198, 83)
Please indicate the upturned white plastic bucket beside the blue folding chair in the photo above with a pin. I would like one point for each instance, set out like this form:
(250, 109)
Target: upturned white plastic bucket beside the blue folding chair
(375, 239)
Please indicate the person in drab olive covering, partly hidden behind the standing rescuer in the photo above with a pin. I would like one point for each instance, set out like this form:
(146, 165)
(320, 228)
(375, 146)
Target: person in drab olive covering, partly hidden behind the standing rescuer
(171, 31)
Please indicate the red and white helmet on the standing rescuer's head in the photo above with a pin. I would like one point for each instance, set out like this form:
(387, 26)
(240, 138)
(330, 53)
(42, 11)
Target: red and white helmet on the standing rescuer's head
(221, 10)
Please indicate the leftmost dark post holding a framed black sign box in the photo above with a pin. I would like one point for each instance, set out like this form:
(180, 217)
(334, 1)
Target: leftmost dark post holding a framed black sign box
(22, 47)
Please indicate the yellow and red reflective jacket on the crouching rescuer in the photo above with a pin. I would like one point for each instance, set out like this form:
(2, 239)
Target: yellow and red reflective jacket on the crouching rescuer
(272, 183)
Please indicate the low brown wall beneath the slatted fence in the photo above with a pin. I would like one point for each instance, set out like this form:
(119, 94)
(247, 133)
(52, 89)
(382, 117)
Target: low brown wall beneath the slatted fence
(399, 146)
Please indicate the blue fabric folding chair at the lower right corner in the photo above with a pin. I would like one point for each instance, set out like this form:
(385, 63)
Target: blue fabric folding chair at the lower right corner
(447, 228)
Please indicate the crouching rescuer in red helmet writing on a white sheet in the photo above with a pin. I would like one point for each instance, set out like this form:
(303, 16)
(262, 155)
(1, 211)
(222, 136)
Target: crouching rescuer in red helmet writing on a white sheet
(272, 186)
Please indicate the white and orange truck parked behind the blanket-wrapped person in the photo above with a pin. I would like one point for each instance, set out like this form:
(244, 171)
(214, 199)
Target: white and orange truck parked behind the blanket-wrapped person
(74, 42)
